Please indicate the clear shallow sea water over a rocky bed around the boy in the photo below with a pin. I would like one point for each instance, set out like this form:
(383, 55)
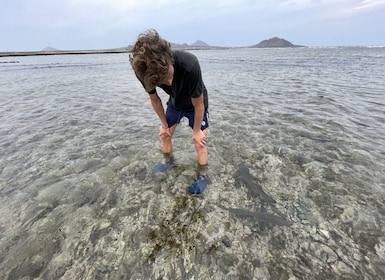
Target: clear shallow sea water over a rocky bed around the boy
(296, 164)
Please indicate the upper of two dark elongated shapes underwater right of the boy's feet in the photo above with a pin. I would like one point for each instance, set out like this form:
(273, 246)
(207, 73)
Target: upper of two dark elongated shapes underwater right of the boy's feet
(255, 189)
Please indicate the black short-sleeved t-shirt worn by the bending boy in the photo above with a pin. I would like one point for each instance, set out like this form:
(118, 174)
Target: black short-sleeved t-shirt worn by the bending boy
(187, 82)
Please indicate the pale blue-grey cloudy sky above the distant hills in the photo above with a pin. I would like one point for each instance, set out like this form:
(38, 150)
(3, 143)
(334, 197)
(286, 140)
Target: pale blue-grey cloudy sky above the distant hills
(30, 25)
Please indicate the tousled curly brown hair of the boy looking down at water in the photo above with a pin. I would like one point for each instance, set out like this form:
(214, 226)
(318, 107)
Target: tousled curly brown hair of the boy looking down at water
(150, 58)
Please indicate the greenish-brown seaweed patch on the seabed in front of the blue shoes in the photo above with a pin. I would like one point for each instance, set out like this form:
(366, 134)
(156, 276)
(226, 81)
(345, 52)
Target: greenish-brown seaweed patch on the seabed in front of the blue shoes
(180, 232)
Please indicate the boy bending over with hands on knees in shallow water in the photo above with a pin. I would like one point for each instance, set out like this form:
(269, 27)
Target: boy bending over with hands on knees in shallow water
(178, 73)
